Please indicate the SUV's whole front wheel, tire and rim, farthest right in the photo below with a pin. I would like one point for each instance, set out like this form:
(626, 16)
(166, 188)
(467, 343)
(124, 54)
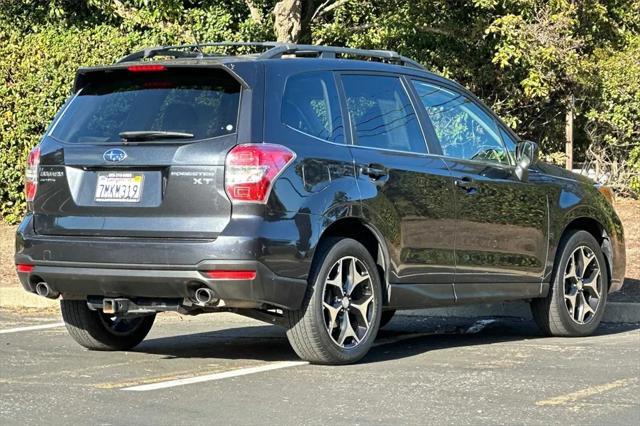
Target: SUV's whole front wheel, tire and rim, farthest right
(578, 291)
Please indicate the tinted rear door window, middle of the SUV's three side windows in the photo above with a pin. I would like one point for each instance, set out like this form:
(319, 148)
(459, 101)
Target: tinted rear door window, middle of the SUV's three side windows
(382, 114)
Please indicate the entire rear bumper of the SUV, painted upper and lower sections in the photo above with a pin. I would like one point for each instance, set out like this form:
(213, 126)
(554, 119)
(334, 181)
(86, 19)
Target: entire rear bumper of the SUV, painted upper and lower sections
(79, 267)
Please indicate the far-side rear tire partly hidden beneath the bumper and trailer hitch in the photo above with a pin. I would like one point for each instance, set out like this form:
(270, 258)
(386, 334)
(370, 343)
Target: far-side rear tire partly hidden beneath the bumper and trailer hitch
(100, 332)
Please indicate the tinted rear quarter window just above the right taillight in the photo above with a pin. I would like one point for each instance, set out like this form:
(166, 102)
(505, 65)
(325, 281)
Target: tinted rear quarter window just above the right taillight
(310, 105)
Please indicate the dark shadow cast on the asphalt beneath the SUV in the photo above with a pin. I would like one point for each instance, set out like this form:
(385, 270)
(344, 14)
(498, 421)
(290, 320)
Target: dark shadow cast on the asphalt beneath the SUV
(404, 337)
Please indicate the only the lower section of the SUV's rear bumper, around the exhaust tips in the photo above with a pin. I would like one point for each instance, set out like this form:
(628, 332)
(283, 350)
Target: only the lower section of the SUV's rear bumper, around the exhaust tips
(133, 281)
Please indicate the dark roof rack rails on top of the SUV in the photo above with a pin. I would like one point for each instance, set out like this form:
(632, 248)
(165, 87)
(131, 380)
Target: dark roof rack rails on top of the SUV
(272, 50)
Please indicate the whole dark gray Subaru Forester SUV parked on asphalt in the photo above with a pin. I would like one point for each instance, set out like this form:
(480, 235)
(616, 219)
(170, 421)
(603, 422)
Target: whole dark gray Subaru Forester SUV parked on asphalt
(319, 188)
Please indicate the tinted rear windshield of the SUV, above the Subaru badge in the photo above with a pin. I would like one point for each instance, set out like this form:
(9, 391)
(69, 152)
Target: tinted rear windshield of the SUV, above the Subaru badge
(201, 102)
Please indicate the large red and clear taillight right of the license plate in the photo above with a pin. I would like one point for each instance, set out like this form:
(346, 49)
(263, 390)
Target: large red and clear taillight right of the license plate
(251, 170)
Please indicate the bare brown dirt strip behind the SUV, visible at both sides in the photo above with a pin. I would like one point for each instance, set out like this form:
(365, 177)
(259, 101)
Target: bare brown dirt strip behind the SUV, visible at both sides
(628, 210)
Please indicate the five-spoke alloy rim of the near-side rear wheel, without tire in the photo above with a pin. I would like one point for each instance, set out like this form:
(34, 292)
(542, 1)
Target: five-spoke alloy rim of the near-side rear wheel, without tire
(348, 302)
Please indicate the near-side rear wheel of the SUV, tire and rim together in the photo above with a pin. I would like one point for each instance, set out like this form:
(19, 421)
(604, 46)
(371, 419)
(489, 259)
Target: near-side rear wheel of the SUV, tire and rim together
(340, 314)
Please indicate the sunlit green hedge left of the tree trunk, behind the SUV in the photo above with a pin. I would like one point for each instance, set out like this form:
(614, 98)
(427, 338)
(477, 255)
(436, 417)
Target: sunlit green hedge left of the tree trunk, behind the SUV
(40, 49)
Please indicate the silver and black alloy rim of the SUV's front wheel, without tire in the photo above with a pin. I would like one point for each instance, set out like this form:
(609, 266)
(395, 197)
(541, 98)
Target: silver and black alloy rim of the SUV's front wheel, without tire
(582, 285)
